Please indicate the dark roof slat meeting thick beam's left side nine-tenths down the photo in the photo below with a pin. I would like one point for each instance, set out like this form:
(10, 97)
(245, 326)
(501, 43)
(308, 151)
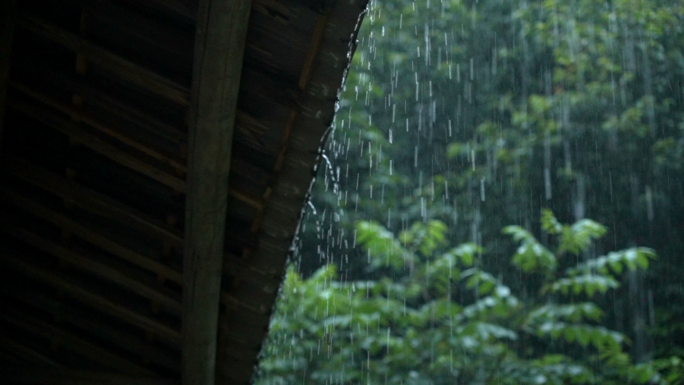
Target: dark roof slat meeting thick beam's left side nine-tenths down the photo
(88, 298)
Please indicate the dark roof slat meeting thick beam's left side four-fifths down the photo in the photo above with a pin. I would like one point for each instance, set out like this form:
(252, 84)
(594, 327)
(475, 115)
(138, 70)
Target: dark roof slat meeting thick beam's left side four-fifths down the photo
(90, 264)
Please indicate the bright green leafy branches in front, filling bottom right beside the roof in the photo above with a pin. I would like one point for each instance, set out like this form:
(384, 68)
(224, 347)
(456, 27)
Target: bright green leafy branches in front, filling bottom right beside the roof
(444, 319)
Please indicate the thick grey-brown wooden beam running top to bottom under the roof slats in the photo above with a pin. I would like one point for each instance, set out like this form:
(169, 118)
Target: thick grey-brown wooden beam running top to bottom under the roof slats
(219, 48)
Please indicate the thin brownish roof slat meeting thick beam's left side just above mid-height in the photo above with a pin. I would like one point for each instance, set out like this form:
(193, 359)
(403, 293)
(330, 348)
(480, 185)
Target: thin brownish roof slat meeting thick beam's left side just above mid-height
(102, 127)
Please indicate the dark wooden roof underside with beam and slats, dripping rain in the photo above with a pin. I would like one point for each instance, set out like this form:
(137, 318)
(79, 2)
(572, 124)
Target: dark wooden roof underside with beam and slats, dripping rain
(150, 185)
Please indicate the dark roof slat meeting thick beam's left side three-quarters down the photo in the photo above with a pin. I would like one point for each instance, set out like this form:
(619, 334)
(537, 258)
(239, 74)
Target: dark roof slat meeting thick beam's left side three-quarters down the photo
(90, 235)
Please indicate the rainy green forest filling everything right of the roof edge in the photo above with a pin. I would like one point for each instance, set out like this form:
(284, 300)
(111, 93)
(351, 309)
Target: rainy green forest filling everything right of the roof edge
(460, 118)
